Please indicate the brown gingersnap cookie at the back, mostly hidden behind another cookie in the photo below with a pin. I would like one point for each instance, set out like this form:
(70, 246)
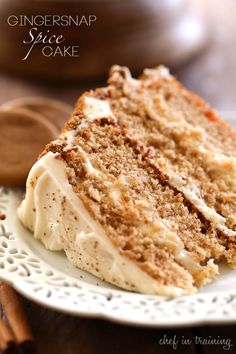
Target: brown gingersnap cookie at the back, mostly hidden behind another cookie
(55, 111)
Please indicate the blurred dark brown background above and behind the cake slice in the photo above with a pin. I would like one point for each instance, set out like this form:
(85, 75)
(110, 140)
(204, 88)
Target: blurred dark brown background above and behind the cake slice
(196, 38)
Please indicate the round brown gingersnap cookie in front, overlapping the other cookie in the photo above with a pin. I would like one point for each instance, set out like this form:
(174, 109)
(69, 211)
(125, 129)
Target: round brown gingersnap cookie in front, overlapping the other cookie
(23, 135)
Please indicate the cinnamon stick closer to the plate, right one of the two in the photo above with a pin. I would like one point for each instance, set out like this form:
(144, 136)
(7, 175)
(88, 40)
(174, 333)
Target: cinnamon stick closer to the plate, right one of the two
(15, 315)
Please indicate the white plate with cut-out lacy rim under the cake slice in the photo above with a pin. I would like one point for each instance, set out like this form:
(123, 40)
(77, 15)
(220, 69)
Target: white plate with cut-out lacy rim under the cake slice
(49, 279)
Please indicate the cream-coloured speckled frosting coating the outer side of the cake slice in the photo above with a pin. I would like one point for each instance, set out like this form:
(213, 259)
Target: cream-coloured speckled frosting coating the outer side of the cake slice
(58, 218)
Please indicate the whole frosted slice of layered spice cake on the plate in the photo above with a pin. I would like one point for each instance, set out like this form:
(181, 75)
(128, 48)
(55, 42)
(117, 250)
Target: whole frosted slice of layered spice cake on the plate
(124, 190)
